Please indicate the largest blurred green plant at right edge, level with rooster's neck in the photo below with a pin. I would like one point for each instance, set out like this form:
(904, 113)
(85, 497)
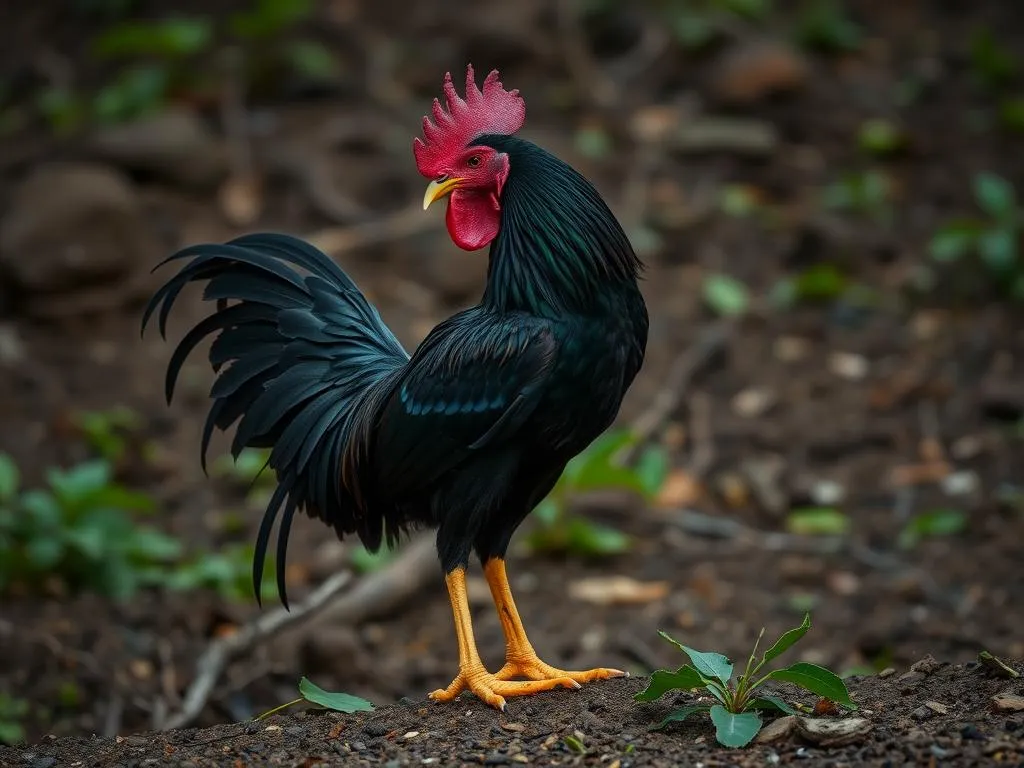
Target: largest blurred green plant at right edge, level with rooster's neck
(994, 238)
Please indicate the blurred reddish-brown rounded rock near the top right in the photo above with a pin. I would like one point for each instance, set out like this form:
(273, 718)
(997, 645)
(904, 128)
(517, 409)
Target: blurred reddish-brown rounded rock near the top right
(752, 71)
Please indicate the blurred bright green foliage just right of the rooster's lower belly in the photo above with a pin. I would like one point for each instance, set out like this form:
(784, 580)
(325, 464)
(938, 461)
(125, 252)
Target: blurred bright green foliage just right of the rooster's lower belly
(558, 530)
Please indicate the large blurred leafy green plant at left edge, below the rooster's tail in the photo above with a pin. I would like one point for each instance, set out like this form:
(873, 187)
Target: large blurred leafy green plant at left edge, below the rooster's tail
(79, 528)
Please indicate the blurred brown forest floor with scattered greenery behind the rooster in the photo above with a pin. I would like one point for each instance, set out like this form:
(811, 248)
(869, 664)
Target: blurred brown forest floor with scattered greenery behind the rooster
(831, 419)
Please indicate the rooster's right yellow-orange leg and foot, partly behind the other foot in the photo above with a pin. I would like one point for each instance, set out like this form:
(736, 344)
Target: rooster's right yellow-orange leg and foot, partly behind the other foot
(521, 659)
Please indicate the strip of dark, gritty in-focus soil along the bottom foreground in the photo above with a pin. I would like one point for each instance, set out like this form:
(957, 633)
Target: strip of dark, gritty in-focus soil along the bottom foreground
(945, 717)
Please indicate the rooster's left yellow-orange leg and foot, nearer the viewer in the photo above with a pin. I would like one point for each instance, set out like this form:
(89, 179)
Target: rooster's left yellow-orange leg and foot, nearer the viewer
(473, 675)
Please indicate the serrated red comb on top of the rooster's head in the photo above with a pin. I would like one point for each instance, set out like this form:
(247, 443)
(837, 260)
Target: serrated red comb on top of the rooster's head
(492, 111)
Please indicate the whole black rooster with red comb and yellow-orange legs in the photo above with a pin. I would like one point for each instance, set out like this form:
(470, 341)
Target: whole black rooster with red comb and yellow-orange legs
(473, 431)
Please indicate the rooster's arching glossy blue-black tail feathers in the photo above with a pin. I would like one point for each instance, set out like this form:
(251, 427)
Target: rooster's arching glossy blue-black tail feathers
(303, 363)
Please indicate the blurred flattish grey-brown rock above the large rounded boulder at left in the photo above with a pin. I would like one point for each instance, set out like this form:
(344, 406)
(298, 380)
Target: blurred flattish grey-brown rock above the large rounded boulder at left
(176, 146)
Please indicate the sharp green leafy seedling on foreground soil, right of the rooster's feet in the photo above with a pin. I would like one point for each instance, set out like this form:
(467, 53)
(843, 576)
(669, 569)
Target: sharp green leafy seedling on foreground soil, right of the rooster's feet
(737, 717)
